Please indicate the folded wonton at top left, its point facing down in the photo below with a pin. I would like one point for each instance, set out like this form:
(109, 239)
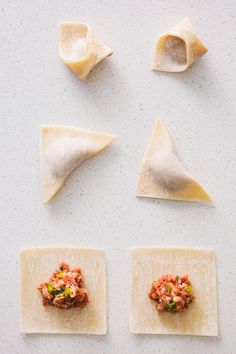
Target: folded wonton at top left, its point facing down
(79, 48)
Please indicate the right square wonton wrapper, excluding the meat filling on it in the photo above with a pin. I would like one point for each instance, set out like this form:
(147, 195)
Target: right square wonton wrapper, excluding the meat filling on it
(148, 264)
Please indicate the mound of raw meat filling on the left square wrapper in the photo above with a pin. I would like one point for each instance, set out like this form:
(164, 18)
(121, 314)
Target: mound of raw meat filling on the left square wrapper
(64, 288)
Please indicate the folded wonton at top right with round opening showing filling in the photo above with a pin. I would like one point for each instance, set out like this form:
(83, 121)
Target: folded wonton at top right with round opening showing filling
(177, 49)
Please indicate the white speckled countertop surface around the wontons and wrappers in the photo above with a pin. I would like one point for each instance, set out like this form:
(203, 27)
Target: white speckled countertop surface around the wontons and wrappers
(97, 207)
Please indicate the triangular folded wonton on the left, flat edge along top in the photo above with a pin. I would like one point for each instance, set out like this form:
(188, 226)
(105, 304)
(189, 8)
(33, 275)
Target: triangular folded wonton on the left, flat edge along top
(62, 149)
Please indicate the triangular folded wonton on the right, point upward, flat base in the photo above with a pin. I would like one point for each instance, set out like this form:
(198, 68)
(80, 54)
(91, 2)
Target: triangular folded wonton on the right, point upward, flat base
(162, 174)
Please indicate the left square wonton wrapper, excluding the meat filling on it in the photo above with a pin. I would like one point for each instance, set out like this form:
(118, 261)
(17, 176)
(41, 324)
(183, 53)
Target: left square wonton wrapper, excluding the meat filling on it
(37, 265)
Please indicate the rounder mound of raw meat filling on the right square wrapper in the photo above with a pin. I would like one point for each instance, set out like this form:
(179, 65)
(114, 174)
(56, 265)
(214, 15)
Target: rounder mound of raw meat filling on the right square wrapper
(172, 293)
